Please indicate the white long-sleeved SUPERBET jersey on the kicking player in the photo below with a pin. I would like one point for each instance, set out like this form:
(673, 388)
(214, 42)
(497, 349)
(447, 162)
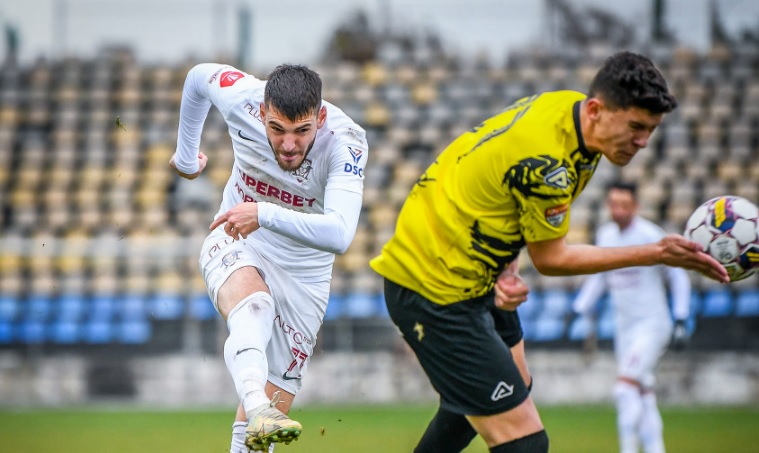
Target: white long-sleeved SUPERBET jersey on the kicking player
(290, 234)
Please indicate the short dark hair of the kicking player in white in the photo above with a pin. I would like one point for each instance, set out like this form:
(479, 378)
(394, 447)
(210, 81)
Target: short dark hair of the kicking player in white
(293, 90)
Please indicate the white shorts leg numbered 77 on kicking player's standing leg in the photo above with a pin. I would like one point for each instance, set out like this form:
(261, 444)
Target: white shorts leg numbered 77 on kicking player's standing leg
(299, 311)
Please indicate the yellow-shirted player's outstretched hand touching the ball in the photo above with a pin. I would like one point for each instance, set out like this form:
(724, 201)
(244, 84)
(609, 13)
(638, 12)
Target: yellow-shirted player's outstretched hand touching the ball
(680, 252)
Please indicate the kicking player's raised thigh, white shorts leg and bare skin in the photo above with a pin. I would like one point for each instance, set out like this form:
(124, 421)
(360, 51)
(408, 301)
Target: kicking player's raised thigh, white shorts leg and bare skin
(230, 269)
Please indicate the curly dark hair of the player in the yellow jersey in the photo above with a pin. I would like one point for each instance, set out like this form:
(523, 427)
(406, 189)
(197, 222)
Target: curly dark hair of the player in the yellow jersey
(629, 80)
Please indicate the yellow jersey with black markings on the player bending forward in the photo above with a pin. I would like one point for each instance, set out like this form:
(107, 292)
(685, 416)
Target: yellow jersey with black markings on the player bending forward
(506, 182)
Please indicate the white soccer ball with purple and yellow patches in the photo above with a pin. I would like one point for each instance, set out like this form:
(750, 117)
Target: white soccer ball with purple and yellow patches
(728, 229)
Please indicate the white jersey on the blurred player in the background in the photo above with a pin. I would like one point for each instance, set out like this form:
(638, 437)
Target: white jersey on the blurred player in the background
(637, 293)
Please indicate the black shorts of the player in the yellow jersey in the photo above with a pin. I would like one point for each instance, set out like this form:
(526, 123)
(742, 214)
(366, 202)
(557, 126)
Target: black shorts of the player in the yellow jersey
(467, 360)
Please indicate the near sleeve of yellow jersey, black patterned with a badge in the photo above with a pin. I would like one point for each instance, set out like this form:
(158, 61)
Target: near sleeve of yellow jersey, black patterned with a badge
(541, 187)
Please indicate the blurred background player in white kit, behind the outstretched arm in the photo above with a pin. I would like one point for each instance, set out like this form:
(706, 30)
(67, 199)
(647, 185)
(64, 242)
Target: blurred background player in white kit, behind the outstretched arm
(643, 324)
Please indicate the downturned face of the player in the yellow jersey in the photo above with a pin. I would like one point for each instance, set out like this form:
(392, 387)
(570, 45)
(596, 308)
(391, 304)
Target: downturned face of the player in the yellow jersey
(620, 133)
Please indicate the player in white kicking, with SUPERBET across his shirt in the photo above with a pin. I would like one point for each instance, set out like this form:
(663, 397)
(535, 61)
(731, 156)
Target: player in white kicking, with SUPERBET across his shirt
(291, 203)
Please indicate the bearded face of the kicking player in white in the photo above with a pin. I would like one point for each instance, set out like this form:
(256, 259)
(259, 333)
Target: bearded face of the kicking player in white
(291, 140)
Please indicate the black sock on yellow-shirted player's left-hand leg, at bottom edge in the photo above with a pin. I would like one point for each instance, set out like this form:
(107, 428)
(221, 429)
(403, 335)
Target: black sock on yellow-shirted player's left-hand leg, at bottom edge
(447, 433)
